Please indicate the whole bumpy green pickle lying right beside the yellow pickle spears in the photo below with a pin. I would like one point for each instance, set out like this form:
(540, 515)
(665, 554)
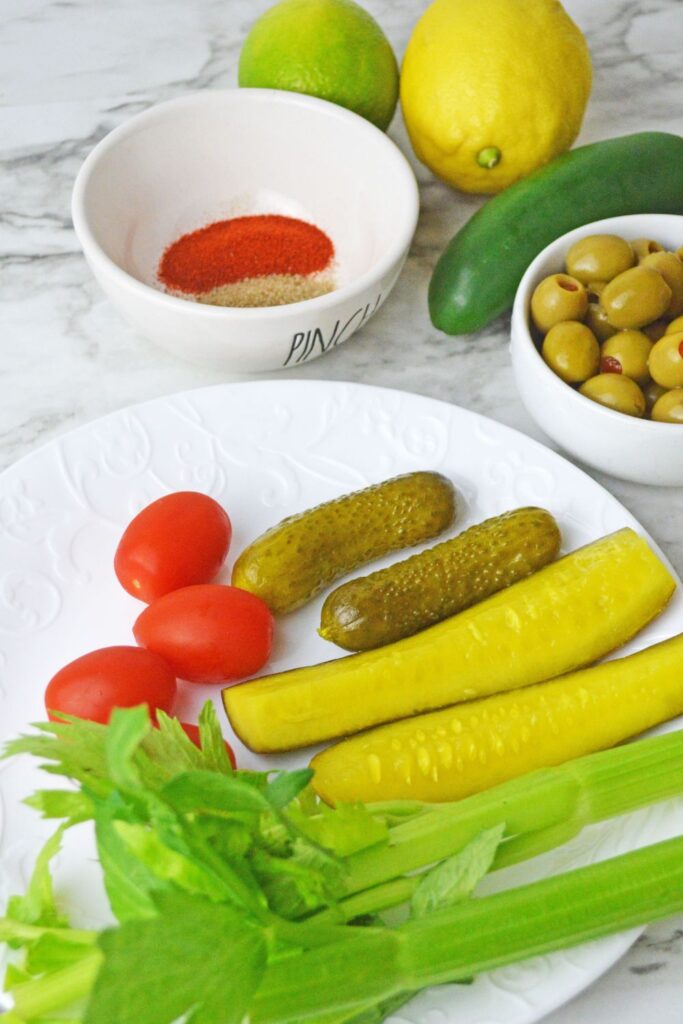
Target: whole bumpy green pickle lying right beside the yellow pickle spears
(425, 589)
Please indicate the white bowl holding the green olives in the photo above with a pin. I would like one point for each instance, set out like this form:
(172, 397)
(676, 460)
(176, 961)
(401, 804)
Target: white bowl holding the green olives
(642, 451)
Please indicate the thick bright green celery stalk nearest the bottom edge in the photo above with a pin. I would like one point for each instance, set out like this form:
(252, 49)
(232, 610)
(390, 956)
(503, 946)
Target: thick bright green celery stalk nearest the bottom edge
(480, 935)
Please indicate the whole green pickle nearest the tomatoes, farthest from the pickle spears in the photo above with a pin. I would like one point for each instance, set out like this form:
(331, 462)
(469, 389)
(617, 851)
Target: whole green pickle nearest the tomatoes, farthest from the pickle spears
(294, 562)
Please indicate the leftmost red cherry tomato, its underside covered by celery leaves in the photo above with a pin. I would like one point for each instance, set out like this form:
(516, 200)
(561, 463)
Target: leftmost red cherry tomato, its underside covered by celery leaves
(112, 677)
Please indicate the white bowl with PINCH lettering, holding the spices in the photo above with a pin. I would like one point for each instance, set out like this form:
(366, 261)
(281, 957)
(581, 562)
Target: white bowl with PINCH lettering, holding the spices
(217, 155)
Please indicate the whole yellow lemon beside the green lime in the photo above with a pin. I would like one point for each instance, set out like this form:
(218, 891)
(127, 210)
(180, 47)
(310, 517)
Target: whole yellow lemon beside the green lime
(492, 90)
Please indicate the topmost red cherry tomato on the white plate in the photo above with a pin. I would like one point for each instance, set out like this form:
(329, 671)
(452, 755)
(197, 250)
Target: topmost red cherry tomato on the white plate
(180, 540)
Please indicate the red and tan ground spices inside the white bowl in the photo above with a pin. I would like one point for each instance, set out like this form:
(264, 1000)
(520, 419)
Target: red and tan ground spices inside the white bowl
(250, 262)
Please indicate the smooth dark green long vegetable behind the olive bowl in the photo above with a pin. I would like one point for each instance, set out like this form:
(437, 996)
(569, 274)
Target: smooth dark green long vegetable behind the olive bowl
(478, 276)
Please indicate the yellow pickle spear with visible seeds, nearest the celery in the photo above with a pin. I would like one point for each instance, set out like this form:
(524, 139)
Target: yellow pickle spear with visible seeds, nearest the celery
(457, 752)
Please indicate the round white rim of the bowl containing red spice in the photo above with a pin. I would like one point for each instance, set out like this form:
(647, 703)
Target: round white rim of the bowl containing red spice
(408, 212)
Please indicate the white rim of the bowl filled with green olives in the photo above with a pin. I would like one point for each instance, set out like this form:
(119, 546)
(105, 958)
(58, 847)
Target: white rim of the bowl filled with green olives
(522, 333)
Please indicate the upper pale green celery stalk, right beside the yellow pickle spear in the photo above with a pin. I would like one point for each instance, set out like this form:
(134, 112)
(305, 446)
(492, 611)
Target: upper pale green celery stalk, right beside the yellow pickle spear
(541, 810)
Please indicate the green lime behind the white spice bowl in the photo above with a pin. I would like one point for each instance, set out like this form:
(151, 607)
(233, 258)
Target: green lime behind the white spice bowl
(329, 49)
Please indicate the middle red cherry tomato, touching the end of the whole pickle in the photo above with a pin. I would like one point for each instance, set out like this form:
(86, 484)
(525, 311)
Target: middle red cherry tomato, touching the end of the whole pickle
(208, 634)
